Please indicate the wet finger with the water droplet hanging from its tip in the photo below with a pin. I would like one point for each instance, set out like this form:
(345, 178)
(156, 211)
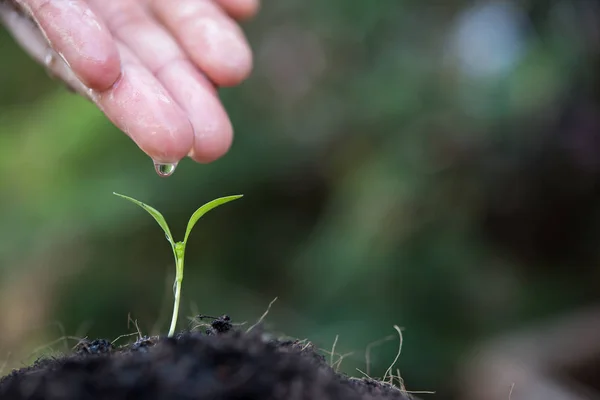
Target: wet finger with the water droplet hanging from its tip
(140, 106)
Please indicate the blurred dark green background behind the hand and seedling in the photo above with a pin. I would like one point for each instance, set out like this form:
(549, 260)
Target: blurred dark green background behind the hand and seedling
(430, 164)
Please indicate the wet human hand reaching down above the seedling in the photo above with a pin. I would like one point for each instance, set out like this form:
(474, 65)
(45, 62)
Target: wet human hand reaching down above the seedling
(150, 65)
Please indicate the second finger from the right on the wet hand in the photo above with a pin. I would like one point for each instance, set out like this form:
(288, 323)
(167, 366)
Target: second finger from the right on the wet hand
(213, 41)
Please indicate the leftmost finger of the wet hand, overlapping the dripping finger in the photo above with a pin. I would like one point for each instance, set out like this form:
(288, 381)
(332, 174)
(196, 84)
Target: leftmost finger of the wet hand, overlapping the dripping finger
(80, 37)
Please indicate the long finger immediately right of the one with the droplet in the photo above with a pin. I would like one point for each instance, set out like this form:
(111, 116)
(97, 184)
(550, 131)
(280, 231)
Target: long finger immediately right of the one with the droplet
(155, 48)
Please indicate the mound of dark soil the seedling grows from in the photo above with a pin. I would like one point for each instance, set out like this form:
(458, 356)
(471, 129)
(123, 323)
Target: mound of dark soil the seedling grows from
(222, 363)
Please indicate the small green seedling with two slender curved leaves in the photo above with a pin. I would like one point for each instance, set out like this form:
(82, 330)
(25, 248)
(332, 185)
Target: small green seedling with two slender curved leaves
(179, 247)
